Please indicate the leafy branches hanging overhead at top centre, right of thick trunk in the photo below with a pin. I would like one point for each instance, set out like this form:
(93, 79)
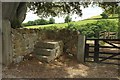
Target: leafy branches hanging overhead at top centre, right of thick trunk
(46, 9)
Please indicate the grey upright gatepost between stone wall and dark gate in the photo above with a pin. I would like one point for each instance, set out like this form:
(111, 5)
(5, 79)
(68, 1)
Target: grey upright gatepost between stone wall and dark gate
(81, 48)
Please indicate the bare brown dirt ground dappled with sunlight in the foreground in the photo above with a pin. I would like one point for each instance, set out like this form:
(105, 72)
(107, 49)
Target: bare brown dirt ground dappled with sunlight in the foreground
(64, 67)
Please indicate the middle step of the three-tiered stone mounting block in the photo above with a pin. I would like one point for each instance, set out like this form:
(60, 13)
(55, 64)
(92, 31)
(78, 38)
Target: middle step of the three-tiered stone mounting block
(45, 52)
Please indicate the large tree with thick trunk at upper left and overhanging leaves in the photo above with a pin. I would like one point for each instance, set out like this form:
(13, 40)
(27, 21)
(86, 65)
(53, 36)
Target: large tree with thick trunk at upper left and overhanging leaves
(15, 12)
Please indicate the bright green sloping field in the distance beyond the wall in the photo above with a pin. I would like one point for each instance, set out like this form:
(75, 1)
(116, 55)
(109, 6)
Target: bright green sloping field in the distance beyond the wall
(82, 22)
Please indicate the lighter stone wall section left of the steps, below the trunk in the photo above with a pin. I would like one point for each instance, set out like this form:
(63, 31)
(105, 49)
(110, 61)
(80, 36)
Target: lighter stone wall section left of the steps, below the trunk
(23, 41)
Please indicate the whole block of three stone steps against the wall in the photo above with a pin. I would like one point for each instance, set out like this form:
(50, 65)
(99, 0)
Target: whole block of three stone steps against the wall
(48, 51)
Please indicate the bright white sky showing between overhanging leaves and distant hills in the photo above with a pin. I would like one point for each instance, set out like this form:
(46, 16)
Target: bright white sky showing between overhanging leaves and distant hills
(87, 13)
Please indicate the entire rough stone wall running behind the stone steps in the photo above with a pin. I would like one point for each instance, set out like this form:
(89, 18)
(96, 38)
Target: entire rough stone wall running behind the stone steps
(24, 40)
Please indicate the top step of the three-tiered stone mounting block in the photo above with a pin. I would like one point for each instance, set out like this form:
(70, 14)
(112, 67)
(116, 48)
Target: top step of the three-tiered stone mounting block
(48, 44)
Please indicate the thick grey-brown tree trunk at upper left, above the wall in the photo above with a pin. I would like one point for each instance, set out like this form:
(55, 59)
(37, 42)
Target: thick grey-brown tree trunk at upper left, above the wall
(15, 12)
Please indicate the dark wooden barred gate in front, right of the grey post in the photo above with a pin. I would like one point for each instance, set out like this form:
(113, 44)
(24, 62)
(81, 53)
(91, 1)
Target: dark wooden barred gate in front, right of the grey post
(102, 51)
